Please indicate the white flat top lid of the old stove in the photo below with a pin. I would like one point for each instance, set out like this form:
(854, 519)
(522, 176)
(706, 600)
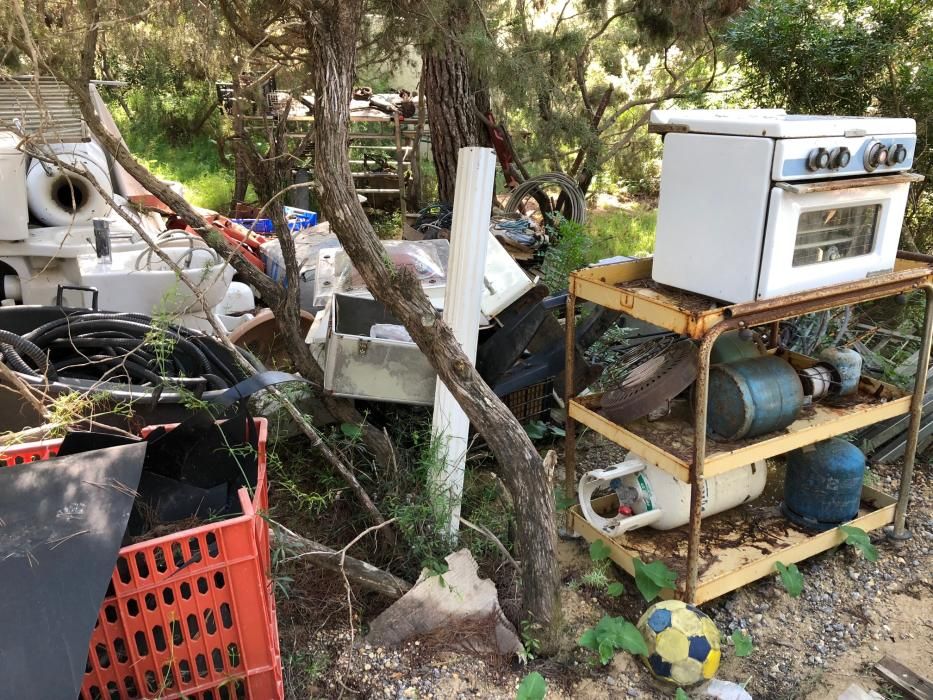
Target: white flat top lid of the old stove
(775, 123)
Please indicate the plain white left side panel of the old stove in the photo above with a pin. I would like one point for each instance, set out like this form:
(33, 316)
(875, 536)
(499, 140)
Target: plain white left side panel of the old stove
(711, 216)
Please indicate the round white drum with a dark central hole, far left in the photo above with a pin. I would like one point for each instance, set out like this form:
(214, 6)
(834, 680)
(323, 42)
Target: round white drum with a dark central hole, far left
(60, 197)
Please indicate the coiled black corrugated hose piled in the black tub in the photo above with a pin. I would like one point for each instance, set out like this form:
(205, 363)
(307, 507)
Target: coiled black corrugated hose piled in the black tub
(97, 346)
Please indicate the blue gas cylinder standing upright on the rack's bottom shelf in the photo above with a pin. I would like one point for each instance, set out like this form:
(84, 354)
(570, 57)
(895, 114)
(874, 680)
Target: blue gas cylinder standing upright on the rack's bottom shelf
(823, 484)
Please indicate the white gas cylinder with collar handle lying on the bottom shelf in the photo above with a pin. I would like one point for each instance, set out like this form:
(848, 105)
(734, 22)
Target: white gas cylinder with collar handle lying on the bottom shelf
(660, 500)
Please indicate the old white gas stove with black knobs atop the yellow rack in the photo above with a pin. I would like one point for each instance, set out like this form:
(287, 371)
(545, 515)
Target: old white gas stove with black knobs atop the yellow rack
(756, 204)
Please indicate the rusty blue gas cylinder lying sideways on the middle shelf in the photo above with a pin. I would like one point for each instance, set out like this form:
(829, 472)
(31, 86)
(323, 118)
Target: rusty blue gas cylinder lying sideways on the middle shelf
(752, 397)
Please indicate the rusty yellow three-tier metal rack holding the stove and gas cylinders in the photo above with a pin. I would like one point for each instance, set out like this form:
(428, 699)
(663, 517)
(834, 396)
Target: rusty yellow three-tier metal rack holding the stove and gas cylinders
(740, 546)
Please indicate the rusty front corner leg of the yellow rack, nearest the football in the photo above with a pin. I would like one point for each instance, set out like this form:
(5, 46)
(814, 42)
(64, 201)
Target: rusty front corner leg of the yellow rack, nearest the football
(699, 459)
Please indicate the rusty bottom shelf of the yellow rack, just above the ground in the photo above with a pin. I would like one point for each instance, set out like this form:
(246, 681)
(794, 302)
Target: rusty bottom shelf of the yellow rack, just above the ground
(739, 546)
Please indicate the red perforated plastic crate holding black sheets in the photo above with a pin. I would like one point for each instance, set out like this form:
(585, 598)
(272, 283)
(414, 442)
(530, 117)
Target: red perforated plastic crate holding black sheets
(188, 615)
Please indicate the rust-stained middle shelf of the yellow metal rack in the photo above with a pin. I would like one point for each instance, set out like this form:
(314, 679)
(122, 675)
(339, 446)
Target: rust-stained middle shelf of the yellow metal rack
(668, 443)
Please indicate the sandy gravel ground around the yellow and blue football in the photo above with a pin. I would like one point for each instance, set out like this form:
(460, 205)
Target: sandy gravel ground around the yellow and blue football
(852, 612)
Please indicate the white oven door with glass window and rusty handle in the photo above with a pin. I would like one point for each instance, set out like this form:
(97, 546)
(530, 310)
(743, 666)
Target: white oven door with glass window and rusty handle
(826, 233)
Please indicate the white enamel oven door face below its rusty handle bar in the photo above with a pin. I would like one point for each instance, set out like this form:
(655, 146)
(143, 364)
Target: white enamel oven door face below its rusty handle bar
(780, 276)
